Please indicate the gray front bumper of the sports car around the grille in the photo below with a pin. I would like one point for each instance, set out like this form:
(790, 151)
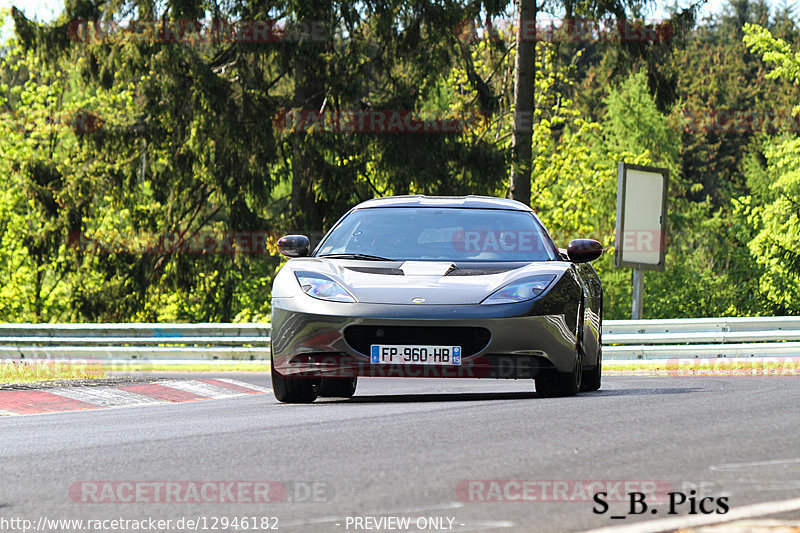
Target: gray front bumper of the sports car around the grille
(310, 338)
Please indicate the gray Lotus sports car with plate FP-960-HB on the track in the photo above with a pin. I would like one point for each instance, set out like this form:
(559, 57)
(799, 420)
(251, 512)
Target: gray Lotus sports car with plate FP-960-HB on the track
(416, 286)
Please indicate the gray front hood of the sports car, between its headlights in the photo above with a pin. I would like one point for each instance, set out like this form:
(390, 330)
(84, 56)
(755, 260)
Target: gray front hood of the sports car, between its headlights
(424, 282)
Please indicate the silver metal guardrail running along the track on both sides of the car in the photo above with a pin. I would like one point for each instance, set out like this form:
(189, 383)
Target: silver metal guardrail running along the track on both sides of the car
(622, 340)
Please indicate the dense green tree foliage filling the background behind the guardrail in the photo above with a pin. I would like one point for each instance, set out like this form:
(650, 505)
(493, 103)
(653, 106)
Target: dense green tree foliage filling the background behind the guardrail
(110, 143)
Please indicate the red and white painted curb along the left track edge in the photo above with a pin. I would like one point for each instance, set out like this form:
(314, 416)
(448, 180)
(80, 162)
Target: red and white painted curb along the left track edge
(59, 399)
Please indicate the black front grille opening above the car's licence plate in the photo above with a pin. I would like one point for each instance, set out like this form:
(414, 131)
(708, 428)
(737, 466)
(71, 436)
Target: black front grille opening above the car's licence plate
(471, 339)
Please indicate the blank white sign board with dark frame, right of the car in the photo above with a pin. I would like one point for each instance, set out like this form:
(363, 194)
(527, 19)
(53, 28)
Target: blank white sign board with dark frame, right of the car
(641, 217)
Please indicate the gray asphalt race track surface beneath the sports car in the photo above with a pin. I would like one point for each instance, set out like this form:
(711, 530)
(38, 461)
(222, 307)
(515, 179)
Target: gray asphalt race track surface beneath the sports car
(421, 449)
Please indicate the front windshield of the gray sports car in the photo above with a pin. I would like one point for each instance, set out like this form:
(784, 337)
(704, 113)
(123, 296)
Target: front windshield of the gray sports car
(439, 234)
